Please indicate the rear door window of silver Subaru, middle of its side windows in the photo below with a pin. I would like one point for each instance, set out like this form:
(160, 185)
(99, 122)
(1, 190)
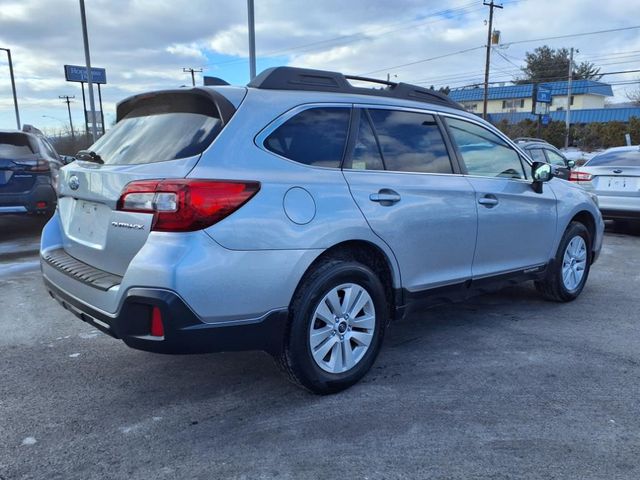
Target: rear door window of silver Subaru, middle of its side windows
(410, 141)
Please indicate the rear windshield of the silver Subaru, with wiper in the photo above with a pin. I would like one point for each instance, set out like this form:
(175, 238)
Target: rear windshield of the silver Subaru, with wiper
(162, 128)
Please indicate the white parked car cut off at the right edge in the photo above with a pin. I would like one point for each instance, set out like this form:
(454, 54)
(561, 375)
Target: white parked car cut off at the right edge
(614, 176)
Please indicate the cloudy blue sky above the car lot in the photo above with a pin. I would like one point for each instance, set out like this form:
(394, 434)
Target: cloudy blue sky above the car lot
(145, 44)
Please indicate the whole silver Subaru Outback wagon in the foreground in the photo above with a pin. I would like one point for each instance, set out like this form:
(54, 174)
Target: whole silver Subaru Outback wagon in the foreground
(300, 215)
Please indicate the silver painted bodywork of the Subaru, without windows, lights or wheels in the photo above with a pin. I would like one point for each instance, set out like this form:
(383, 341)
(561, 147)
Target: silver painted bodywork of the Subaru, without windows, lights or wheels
(251, 262)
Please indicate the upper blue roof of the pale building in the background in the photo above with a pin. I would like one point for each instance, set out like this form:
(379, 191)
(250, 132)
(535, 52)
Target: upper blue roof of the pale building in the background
(578, 87)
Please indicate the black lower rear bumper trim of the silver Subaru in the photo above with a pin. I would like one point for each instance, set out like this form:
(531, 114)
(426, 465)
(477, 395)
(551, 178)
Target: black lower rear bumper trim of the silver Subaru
(184, 332)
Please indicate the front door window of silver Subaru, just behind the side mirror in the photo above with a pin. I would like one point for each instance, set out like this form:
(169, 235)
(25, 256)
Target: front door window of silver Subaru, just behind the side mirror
(483, 152)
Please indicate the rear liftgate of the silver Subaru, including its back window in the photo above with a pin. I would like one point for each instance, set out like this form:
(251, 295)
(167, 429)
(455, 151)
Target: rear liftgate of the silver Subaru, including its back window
(157, 136)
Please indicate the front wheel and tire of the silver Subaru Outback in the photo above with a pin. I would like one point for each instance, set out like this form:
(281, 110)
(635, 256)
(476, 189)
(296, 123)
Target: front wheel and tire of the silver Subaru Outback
(569, 270)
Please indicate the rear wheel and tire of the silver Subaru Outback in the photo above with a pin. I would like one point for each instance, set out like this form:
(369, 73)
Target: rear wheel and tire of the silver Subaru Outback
(336, 327)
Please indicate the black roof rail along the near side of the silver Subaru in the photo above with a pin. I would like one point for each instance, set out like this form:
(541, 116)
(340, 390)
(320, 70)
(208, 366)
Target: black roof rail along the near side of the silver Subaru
(291, 78)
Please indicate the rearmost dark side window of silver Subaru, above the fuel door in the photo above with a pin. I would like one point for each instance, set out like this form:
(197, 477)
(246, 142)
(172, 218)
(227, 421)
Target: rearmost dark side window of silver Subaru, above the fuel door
(316, 136)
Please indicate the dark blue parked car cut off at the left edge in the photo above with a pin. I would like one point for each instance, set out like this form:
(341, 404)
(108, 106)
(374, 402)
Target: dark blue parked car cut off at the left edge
(29, 168)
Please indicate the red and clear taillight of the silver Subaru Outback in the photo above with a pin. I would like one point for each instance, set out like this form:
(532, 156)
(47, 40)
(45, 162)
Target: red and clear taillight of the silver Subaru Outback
(185, 205)
